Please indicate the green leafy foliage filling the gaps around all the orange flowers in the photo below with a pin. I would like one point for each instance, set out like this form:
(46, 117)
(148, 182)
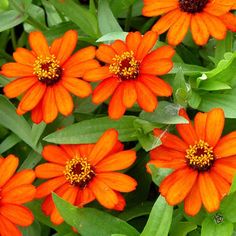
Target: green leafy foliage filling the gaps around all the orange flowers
(202, 78)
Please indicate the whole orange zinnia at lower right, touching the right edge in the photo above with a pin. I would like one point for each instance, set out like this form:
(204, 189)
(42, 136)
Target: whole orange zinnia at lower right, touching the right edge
(204, 164)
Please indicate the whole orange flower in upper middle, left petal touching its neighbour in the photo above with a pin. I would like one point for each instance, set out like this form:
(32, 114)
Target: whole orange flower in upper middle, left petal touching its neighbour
(129, 74)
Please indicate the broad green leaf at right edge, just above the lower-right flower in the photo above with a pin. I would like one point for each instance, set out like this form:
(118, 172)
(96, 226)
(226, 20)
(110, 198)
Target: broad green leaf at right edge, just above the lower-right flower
(224, 100)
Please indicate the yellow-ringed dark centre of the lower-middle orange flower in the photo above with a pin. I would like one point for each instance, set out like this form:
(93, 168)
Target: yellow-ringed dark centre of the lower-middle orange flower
(79, 172)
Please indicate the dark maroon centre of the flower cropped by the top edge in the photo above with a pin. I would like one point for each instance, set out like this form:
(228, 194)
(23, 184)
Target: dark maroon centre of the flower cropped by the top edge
(192, 6)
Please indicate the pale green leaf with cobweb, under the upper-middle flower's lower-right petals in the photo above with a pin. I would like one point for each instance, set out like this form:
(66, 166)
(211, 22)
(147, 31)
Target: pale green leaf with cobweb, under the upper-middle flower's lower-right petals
(165, 113)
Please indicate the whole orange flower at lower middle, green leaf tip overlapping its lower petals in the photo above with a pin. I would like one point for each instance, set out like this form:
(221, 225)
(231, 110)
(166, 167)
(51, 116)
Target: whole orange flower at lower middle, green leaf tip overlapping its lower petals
(80, 173)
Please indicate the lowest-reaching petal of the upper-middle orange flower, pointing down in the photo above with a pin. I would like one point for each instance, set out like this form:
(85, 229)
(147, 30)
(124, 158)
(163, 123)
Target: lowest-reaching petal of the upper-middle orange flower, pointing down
(116, 107)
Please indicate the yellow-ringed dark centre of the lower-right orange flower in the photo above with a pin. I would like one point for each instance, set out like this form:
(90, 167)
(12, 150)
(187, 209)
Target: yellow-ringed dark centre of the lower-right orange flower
(200, 156)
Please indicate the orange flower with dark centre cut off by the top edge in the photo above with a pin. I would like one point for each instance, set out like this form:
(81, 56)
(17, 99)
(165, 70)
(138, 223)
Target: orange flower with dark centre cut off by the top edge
(203, 17)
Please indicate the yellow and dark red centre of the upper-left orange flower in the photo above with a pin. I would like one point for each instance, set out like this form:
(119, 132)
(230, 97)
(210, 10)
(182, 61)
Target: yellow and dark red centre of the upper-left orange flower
(47, 69)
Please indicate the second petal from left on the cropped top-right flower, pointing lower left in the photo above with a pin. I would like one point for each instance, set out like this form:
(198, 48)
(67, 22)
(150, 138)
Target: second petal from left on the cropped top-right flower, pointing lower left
(166, 21)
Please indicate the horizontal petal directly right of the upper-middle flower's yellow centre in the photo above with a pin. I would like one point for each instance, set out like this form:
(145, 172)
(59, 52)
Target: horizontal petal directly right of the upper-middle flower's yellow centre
(156, 67)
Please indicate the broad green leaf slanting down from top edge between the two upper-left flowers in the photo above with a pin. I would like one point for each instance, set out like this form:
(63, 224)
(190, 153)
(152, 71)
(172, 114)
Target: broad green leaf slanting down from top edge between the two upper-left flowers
(79, 15)
